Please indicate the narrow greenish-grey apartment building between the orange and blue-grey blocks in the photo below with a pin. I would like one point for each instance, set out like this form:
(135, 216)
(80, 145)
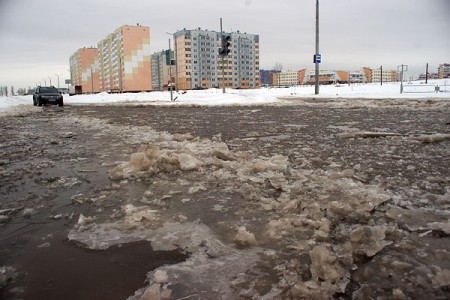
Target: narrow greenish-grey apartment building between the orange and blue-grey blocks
(162, 69)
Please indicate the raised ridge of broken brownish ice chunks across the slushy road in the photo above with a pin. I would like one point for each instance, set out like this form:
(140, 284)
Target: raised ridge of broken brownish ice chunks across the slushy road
(318, 212)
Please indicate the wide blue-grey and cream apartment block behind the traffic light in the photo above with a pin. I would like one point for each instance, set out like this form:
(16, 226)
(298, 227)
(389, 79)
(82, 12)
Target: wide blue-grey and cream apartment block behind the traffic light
(200, 66)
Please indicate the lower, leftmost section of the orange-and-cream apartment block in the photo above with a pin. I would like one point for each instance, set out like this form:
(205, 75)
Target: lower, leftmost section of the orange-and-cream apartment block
(84, 72)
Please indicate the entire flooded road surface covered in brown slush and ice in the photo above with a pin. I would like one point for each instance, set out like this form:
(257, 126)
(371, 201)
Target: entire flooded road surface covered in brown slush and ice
(308, 199)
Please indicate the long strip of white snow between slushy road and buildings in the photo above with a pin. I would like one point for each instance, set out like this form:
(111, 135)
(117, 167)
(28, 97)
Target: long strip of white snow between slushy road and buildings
(263, 96)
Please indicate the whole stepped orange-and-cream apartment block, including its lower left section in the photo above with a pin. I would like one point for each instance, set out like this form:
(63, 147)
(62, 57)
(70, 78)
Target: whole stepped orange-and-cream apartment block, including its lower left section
(121, 63)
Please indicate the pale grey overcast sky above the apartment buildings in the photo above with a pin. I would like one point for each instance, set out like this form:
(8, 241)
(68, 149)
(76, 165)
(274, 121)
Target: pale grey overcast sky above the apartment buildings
(37, 37)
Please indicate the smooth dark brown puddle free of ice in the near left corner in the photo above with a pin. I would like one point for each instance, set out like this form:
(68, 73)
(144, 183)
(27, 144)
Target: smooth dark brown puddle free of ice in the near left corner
(68, 271)
